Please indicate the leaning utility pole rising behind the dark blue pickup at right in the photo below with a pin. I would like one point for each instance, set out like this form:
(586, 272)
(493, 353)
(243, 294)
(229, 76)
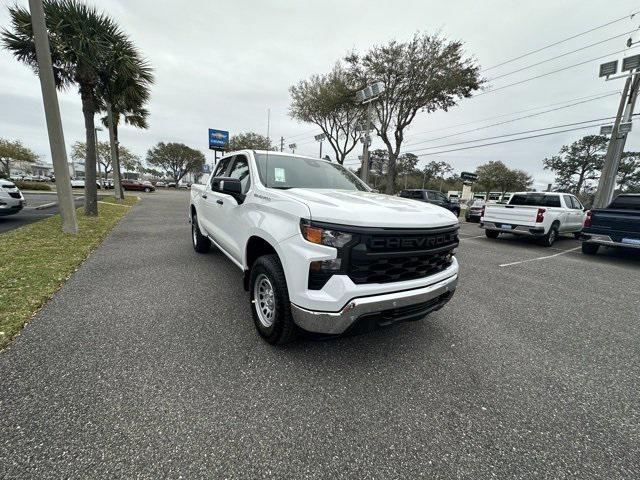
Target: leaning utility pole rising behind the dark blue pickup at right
(607, 182)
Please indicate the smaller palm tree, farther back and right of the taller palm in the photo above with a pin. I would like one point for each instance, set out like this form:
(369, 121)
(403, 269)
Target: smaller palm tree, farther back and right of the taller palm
(124, 86)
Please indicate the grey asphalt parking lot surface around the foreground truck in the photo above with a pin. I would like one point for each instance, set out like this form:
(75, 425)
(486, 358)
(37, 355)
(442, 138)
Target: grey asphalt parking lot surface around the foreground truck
(146, 365)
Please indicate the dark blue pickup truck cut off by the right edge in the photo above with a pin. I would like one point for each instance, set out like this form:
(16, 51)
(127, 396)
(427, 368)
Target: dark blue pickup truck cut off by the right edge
(618, 225)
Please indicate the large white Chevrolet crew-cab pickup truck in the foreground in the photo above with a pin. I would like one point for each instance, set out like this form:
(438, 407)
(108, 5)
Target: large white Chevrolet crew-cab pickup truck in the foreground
(318, 249)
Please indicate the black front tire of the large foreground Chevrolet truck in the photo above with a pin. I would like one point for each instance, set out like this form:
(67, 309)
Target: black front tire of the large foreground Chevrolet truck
(282, 328)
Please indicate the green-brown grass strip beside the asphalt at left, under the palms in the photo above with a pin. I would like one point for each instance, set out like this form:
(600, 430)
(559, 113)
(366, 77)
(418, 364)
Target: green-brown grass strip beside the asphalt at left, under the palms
(35, 260)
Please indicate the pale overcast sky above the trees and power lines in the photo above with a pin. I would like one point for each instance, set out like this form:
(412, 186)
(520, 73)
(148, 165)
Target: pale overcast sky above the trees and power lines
(223, 64)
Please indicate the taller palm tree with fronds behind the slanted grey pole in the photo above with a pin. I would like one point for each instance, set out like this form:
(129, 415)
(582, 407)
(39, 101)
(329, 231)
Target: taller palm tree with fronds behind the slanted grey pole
(81, 39)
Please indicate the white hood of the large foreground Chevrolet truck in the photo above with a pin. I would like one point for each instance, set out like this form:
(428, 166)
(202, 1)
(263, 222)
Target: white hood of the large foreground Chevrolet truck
(368, 209)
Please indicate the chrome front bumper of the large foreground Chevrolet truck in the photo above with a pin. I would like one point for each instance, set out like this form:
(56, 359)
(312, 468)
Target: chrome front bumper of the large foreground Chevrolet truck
(338, 322)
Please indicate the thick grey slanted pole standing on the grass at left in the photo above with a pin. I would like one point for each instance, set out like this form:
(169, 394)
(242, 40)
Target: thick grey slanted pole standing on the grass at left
(54, 122)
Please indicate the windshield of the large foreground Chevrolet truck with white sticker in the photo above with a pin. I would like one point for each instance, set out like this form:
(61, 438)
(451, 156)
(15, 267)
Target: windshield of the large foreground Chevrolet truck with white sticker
(284, 171)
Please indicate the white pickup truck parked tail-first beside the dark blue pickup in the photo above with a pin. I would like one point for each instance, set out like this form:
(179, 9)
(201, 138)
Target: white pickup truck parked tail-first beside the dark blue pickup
(543, 215)
